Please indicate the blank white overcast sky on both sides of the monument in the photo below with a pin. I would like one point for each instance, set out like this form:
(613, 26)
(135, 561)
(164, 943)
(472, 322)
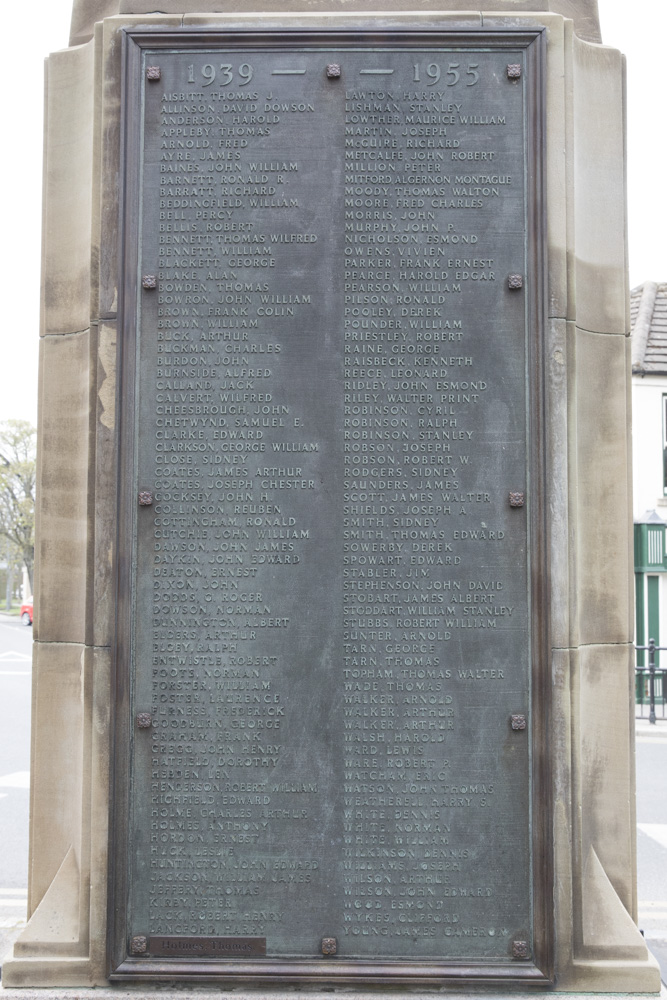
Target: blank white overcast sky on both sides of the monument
(637, 28)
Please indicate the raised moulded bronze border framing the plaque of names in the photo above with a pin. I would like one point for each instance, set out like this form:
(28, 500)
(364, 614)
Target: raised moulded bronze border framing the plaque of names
(266, 972)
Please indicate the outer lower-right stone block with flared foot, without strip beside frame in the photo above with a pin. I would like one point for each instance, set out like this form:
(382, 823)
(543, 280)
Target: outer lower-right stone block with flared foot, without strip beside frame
(608, 948)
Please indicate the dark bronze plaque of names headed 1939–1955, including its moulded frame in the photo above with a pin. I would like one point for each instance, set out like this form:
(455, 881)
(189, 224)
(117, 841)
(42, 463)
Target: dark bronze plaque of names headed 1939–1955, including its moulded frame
(330, 611)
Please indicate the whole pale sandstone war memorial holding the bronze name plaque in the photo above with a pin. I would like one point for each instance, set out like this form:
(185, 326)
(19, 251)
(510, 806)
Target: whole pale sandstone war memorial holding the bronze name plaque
(333, 615)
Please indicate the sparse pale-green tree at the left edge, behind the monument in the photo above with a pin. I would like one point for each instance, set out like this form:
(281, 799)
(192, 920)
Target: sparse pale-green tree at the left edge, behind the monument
(18, 469)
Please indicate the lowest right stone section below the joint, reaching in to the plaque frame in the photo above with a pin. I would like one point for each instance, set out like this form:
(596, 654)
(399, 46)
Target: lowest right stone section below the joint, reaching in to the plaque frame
(594, 832)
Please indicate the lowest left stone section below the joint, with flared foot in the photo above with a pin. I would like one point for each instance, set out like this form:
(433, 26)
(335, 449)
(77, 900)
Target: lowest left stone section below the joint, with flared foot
(64, 941)
